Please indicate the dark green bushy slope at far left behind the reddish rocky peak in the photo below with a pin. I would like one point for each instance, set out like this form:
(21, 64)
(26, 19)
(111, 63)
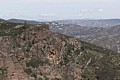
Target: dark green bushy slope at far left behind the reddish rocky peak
(11, 29)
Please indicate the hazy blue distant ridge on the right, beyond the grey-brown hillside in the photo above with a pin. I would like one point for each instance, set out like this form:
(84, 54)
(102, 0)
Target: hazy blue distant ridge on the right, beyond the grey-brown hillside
(92, 23)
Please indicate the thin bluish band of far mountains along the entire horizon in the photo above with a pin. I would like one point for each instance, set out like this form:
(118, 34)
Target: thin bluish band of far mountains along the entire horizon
(82, 22)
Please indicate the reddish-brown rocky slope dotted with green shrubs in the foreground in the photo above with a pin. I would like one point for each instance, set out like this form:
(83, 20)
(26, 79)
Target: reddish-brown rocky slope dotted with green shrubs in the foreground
(38, 54)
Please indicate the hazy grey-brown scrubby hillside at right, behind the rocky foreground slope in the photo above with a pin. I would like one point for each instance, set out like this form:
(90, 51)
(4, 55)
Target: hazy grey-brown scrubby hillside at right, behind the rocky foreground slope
(106, 37)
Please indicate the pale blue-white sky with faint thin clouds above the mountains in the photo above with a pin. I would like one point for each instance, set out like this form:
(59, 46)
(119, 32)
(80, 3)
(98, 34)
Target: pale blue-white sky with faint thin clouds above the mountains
(59, 9)
